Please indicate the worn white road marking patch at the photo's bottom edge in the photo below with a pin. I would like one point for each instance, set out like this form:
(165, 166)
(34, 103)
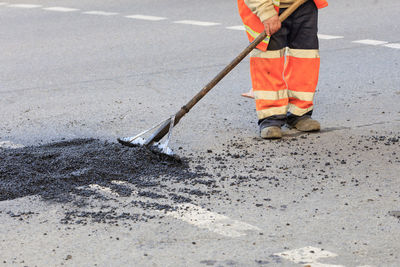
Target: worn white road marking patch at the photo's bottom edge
(308, 256)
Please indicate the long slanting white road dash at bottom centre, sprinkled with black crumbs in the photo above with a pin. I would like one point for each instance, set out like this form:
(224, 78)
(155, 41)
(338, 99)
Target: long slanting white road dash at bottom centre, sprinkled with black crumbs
(214, 222)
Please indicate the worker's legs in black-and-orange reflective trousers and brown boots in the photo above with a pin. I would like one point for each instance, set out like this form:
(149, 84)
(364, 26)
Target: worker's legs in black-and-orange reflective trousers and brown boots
(285, 77)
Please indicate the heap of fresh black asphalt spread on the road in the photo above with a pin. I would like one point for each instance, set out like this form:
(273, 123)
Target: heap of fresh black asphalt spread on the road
(64, 172)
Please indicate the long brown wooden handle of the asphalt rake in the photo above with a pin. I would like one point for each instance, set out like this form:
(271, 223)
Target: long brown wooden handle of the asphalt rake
(163, 130)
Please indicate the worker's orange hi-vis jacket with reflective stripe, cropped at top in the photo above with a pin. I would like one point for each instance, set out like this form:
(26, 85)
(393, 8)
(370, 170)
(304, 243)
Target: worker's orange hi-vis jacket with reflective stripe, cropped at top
(253, 24)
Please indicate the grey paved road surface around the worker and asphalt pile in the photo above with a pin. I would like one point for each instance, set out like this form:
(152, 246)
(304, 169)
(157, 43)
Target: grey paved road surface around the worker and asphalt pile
(325, 199)
